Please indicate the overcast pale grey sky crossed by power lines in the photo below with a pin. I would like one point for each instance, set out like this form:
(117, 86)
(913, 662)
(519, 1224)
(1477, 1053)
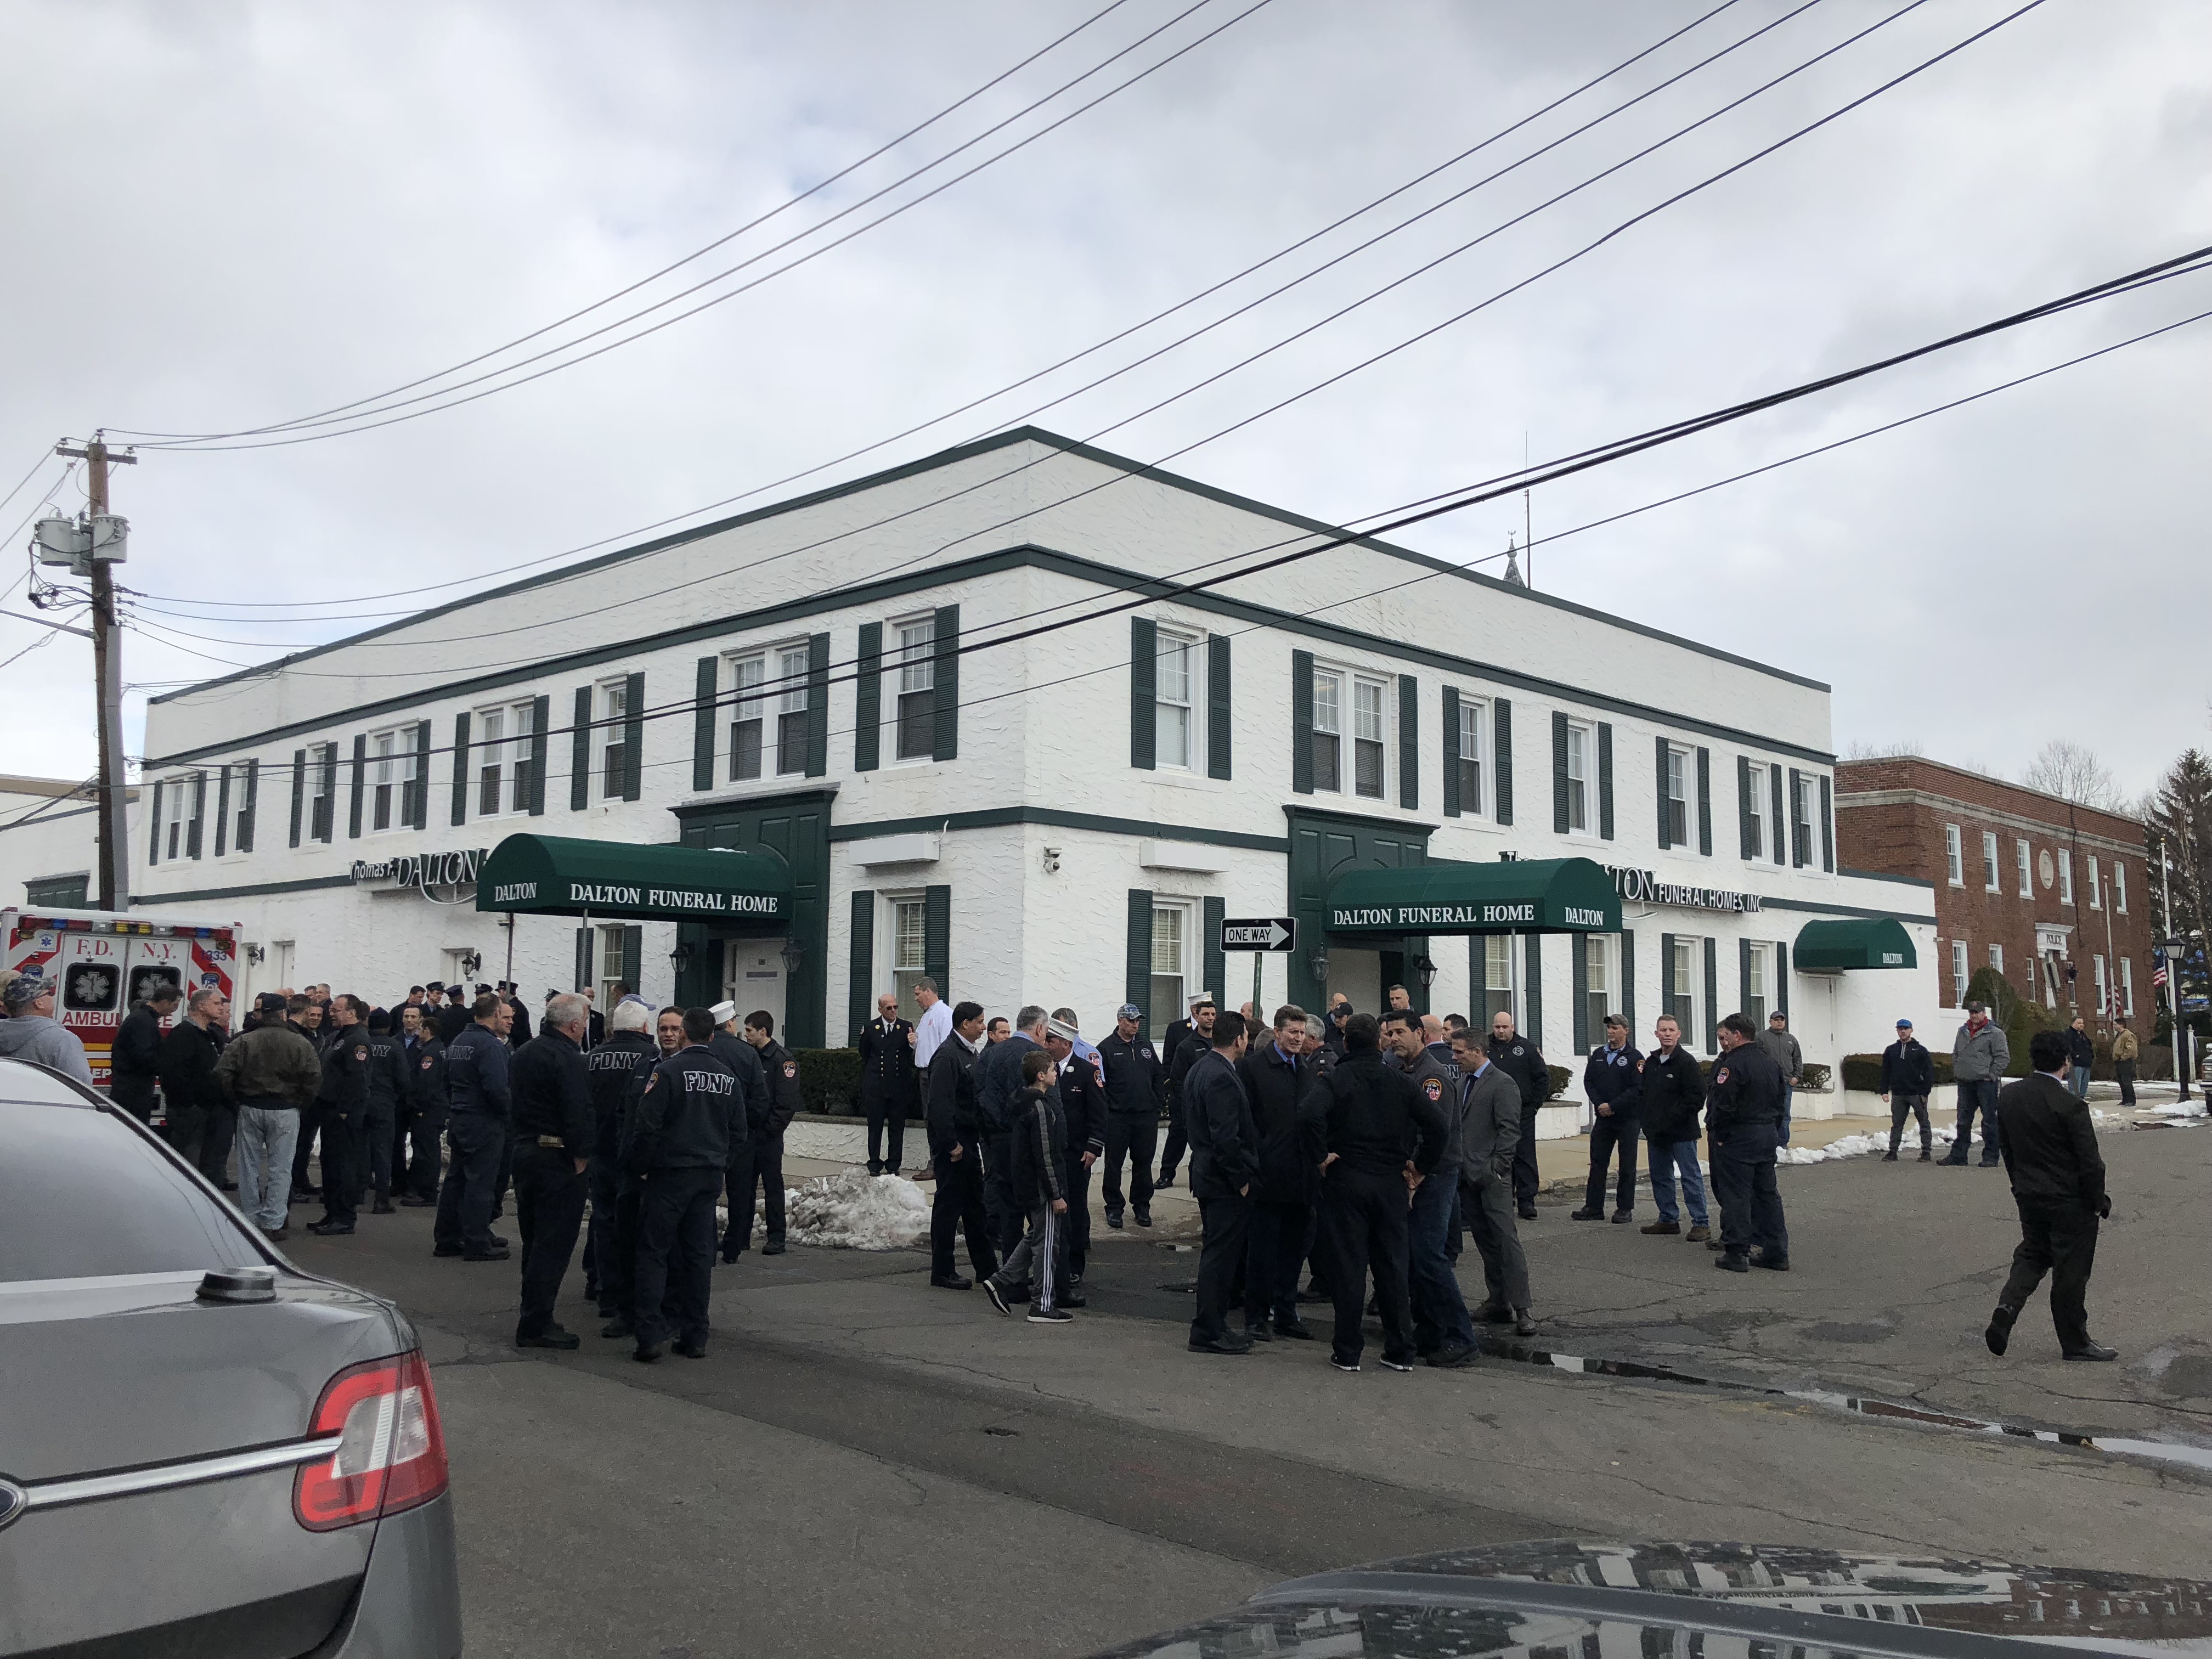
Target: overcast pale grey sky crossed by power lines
(231, 216)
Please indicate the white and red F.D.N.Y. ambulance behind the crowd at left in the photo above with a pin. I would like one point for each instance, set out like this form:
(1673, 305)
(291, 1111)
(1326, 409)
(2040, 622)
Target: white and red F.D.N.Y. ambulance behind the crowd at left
(105, 966)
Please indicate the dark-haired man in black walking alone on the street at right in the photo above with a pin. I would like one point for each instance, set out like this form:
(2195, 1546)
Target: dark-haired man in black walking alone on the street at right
(2058, 1187)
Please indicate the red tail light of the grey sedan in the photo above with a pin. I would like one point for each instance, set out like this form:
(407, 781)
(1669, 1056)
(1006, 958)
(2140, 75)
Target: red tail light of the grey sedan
(390, 1446)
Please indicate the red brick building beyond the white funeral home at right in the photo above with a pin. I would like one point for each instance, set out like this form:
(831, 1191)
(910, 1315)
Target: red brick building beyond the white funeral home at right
(2043, 890)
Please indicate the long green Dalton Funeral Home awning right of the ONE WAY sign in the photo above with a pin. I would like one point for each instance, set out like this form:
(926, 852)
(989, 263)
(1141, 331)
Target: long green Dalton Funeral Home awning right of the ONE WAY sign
(1510, 897)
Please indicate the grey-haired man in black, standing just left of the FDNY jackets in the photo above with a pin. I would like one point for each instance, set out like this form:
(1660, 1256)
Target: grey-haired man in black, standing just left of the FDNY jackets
(554, 1136)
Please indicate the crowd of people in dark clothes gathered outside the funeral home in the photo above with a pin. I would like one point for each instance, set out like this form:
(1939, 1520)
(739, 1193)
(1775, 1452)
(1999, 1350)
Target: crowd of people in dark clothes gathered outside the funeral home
(1346, 1151)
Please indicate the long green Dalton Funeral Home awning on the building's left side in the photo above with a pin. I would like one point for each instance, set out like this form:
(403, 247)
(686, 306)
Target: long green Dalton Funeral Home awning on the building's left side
(662, 884)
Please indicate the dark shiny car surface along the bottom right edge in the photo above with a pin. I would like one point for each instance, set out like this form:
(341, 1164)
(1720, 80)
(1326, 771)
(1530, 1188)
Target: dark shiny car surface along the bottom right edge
(1565, 1598)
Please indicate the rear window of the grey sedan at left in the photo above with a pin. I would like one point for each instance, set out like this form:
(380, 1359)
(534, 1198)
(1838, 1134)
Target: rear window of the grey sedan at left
(85, 1198)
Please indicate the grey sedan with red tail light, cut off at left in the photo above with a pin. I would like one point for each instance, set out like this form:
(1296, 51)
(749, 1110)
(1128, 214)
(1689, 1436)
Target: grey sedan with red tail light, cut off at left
(202, 1448)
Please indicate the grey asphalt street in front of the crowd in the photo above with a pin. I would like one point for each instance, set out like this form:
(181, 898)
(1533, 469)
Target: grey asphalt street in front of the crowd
(870, 1465)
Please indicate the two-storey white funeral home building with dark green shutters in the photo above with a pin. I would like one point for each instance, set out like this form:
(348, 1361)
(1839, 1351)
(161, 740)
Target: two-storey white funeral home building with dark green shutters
(870, 689)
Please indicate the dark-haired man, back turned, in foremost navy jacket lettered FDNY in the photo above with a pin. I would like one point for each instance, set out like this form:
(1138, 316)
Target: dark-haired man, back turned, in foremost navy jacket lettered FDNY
(680, 1129)
